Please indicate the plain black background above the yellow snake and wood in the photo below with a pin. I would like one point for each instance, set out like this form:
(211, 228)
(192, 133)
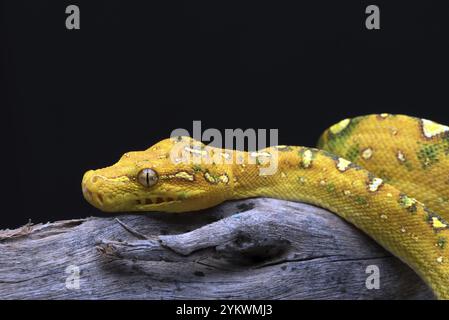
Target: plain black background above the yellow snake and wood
(136, 70)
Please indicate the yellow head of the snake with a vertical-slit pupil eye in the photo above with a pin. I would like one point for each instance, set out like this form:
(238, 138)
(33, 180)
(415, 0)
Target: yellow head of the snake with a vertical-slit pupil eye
(174, 175)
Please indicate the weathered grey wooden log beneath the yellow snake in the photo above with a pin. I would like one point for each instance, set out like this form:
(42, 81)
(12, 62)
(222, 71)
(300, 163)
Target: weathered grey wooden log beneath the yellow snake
(251, 249)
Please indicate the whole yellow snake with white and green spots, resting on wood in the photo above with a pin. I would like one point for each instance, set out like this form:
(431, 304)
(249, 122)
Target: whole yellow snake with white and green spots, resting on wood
(386, 174)
